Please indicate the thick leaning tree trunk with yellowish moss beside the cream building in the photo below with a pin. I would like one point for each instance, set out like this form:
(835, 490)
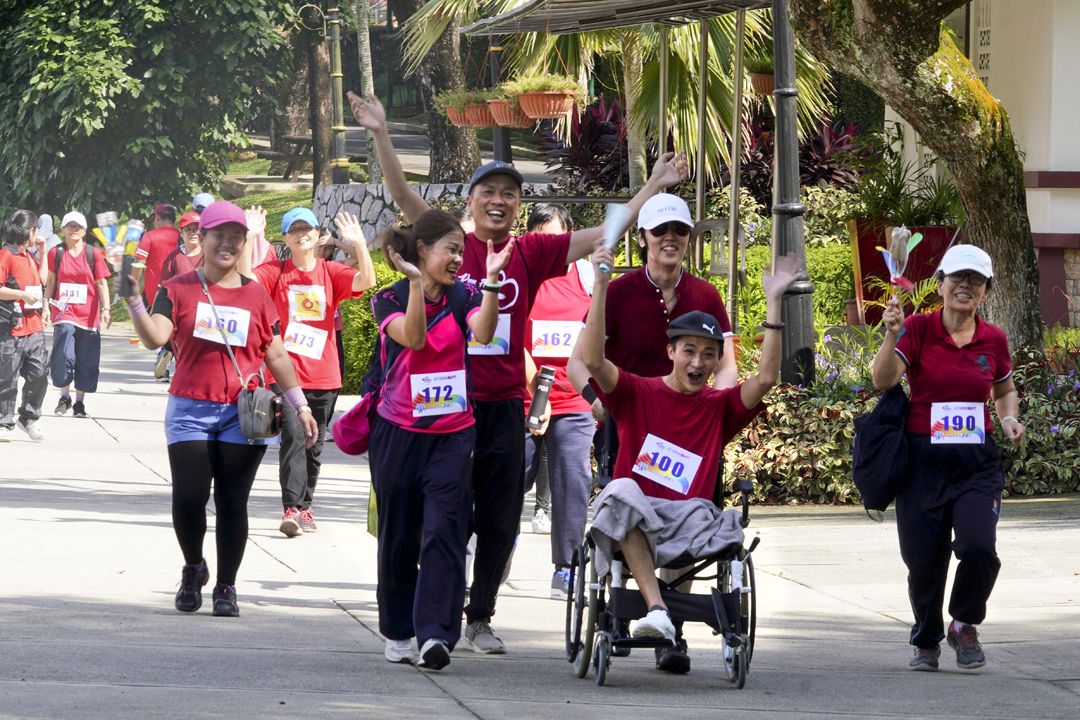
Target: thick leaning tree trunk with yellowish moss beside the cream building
(900, 49)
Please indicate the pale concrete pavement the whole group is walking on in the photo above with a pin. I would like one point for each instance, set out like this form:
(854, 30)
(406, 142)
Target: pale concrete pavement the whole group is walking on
(91, 565)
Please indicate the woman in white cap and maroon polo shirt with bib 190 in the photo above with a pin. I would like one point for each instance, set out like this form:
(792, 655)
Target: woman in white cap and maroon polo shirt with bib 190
(955, 362)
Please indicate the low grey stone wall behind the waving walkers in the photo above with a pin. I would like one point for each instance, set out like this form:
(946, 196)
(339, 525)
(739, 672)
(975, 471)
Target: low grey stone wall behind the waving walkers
(376, 211)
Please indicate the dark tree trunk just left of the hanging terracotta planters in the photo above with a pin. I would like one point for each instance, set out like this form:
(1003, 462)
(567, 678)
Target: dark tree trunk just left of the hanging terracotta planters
(455, 154)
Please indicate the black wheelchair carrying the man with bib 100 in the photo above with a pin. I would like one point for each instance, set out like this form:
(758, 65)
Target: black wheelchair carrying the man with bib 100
(599, 610)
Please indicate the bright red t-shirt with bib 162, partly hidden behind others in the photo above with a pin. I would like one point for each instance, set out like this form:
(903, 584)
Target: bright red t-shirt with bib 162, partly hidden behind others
(551, 333)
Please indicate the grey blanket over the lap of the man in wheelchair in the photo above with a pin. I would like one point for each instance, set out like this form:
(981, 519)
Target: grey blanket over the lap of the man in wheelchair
(673, 527)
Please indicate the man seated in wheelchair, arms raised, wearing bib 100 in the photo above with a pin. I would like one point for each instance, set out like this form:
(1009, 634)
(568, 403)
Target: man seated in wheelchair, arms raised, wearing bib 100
(672, 431)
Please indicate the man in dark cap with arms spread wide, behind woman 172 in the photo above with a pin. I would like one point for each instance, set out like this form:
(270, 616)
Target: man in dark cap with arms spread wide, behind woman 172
(494, 201)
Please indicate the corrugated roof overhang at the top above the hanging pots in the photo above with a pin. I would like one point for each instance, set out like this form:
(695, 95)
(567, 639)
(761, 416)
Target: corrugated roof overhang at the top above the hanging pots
(570, 17)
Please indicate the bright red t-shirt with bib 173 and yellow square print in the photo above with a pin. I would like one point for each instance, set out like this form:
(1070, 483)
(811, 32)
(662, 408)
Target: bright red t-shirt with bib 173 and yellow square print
(306, 303)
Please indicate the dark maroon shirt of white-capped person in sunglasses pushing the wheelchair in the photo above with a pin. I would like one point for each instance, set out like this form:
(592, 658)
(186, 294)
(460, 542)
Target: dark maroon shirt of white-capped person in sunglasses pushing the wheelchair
(638, 319)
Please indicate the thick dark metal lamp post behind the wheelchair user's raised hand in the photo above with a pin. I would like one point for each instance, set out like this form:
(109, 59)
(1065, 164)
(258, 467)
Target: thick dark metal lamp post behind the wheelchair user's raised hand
(788, 230)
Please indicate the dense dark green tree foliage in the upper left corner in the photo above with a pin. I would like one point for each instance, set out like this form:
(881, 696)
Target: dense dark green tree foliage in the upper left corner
(120, 104)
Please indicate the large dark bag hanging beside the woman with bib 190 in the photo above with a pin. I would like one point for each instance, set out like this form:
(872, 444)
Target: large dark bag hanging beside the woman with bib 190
(880, 465)
